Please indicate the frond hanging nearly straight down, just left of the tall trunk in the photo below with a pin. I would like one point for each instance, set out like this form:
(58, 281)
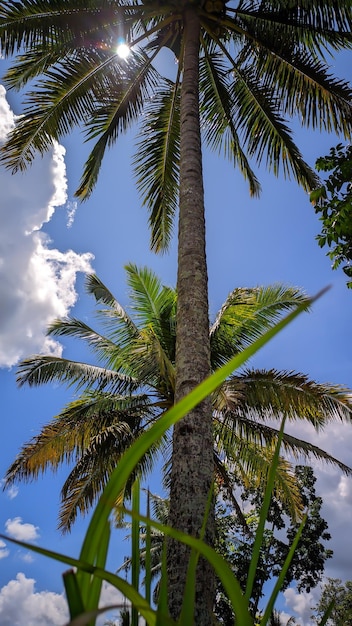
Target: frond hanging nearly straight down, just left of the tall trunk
(157, 162)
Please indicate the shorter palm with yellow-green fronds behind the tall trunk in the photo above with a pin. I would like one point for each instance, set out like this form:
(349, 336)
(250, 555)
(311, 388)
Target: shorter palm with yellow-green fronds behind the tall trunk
(134, 383)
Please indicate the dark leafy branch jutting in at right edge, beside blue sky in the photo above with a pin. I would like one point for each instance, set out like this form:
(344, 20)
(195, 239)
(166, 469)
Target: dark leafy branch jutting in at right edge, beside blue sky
(333, 202)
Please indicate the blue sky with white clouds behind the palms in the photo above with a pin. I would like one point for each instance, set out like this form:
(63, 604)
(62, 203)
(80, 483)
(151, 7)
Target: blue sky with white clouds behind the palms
(47, 243)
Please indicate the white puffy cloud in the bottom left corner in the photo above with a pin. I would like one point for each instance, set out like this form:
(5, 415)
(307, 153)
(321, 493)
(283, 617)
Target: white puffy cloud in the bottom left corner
(21, 605)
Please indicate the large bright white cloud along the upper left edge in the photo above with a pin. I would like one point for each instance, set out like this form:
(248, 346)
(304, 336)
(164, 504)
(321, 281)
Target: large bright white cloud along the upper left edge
(37, 282)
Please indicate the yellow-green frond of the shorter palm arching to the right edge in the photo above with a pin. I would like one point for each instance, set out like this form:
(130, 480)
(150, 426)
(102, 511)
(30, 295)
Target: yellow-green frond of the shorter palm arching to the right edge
(246, 417)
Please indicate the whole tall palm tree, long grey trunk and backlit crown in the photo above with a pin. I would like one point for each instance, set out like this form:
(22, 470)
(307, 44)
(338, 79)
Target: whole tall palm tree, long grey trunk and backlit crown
(242, 67)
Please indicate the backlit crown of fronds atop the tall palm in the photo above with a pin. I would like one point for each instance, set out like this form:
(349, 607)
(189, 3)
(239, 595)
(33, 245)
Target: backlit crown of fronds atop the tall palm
(260, 63)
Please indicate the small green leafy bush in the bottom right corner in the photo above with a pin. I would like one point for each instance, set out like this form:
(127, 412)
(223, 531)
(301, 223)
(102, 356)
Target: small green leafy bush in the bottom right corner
(334, 590)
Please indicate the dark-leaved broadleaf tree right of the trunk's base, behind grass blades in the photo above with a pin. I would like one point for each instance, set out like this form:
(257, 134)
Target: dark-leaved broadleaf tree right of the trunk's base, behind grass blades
(236, 545)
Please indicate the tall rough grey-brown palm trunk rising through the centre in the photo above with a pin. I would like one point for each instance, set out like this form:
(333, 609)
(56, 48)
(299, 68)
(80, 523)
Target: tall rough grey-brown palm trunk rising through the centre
(192, 457)
